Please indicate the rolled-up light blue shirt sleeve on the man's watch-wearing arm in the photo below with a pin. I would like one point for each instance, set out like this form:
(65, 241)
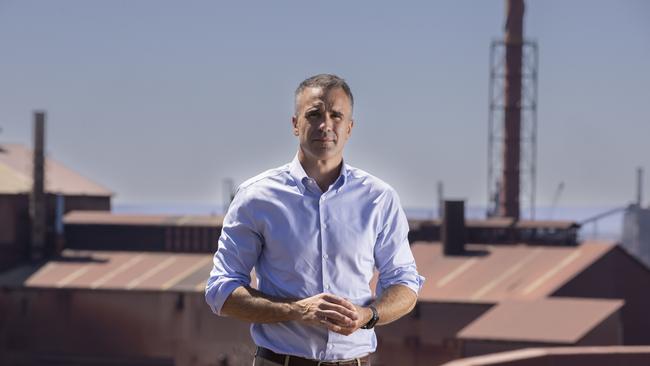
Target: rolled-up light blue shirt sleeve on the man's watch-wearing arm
(393, 257)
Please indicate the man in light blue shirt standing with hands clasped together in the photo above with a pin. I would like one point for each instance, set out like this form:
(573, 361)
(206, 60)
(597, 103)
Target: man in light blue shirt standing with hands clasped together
(315, 230)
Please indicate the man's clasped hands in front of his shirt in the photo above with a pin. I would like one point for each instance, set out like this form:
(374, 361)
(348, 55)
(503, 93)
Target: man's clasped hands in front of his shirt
(332, 312)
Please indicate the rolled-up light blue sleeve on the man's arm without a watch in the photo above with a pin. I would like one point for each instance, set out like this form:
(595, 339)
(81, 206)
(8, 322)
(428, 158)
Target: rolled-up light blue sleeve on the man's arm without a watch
(239, 248)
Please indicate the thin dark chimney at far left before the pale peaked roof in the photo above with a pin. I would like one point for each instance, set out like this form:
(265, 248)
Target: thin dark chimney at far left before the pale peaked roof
(37, 198)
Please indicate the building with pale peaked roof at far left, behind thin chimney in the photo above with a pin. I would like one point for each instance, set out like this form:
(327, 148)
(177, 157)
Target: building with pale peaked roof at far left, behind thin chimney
(64, 190)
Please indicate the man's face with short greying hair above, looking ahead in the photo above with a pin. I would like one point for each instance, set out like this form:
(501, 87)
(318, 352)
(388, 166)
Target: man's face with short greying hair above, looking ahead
(323, 122)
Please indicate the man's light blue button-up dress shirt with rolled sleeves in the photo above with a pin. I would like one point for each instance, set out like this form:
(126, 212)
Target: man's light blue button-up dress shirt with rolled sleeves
(303, 242)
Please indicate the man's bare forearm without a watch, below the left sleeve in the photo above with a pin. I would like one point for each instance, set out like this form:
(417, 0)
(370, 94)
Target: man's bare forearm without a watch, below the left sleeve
(248, 304)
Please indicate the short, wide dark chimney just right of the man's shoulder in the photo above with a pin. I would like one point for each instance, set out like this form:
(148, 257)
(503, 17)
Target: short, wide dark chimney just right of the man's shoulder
(453, 228)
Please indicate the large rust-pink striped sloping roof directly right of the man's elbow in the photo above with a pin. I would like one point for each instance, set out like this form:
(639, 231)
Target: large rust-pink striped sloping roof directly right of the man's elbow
(493, 273)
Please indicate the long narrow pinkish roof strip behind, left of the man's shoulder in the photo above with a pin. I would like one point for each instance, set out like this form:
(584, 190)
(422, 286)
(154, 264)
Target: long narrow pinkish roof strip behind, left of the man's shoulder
(109, 218)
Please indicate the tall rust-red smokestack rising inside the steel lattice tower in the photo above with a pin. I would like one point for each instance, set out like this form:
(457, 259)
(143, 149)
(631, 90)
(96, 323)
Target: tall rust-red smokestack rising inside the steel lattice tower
(509, 197)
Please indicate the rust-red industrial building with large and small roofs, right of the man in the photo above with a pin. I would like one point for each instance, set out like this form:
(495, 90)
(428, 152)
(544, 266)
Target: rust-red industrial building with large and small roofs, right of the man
(497, 298)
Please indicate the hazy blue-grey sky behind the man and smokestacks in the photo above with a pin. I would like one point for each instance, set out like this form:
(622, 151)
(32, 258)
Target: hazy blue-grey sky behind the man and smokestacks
(160, 100)
